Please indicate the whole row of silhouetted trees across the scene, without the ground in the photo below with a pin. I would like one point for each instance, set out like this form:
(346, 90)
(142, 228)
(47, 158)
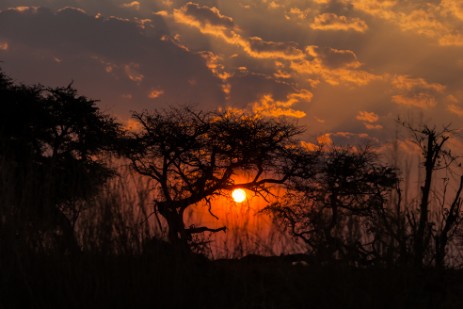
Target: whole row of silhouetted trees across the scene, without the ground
(343, 202)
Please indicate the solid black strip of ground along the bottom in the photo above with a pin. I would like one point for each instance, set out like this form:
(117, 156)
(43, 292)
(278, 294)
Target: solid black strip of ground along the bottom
(90, 281)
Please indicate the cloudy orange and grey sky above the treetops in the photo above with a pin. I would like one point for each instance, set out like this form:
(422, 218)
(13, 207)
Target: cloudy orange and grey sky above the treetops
(345, 69)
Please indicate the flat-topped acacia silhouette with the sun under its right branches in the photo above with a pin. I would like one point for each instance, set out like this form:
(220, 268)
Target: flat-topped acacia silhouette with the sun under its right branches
(193, 156)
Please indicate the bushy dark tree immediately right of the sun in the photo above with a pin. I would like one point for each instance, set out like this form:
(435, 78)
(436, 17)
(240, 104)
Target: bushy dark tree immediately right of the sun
(333, 205)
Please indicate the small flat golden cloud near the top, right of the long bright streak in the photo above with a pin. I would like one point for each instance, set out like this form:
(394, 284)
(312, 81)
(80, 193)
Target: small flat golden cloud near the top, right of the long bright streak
(333, 22)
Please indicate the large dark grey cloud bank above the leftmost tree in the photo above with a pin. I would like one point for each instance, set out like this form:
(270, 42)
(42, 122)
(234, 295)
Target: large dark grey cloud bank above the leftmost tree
(110, 57)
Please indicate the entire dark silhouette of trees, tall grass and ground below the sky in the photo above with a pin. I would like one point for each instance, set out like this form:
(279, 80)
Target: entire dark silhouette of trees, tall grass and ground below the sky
(79, 196)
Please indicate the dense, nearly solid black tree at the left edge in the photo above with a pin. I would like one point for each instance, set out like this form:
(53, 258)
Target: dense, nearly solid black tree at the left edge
(51, 141)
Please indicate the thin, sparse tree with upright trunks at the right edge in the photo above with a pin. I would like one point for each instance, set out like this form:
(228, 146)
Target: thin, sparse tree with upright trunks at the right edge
(436, 157)
